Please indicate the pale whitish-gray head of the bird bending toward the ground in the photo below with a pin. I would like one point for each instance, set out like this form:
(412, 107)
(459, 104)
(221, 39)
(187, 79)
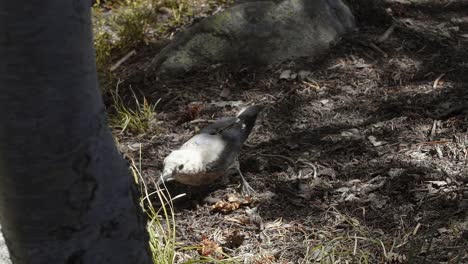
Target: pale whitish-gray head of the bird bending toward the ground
(180, 162)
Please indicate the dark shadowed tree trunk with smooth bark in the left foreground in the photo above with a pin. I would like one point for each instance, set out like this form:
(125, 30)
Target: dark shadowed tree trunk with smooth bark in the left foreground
(66, 195)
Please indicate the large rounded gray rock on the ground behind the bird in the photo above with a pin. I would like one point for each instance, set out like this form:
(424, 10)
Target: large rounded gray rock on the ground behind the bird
(258, 32)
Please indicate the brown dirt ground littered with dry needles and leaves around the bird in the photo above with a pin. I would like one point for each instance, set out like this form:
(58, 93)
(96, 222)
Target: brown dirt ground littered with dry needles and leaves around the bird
(363, 159)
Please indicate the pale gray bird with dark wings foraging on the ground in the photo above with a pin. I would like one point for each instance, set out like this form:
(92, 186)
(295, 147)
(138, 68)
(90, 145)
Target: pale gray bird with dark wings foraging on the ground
(213, 152)
